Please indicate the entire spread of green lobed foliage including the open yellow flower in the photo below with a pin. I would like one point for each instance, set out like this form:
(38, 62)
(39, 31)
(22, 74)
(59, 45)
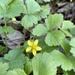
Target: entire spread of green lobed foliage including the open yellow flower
(51, 32)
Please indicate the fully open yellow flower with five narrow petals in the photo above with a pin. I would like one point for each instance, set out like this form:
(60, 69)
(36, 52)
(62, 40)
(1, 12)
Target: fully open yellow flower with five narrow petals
(33, 46)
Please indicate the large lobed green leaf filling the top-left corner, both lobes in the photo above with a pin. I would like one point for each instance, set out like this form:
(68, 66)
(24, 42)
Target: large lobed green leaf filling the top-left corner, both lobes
(8, 8)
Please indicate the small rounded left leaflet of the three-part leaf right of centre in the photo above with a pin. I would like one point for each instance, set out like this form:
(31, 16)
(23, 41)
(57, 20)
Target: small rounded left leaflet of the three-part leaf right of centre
(39, 30)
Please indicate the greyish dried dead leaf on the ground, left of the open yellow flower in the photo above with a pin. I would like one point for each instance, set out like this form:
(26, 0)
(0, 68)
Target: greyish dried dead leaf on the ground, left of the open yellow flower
(14, 40)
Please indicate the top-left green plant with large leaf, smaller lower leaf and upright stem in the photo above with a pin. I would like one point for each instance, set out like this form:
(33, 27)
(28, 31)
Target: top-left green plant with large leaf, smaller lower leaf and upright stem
(9, 10)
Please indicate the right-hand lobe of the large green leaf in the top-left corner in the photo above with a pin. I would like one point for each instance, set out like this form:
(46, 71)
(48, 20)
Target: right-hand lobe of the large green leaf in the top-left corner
(15, 7)
